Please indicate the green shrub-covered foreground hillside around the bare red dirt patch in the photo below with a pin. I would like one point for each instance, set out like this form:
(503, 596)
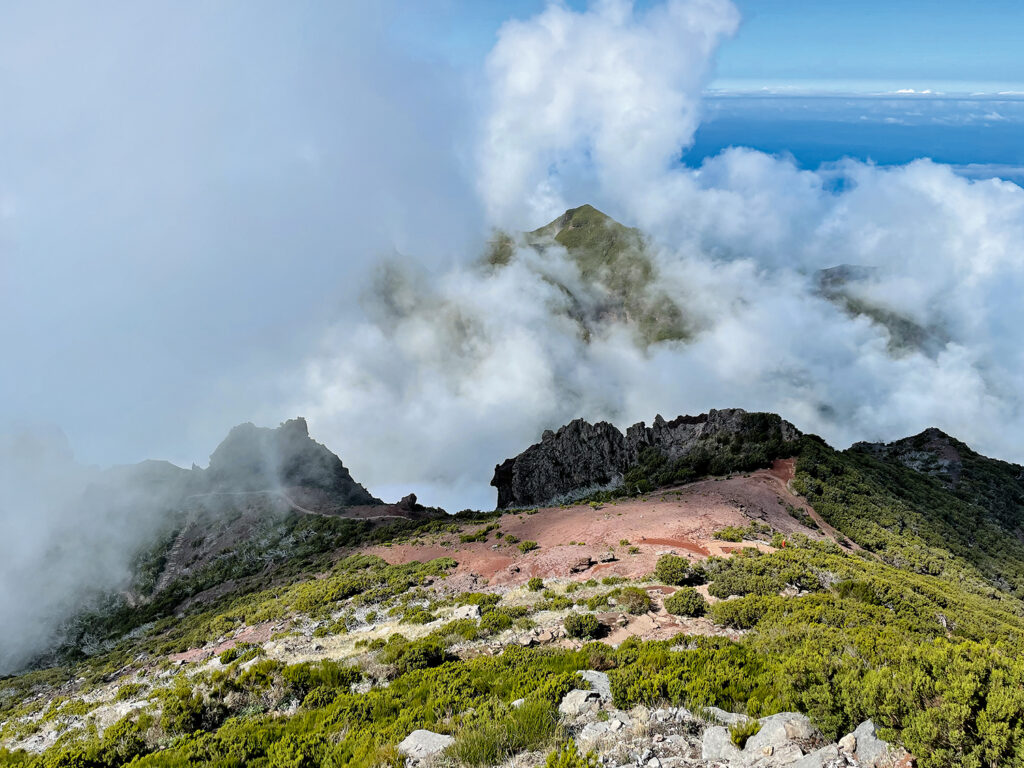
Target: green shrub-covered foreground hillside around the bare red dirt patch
(334, 658)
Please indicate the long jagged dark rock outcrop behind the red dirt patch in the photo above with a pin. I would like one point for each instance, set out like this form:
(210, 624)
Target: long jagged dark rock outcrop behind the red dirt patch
(581, 457)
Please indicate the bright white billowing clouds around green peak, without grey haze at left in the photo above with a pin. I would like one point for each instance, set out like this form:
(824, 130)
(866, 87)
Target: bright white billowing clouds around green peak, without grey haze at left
(596, 107)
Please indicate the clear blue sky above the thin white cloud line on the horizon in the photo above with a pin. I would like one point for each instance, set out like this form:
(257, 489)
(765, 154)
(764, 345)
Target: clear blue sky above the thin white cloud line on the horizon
(913, 44)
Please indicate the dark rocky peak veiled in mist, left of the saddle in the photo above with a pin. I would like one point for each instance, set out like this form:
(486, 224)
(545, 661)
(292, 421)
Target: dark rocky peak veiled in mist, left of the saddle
(254, 458)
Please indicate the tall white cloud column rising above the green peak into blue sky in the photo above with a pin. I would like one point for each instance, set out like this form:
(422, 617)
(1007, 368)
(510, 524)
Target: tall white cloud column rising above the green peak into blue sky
(612, 95)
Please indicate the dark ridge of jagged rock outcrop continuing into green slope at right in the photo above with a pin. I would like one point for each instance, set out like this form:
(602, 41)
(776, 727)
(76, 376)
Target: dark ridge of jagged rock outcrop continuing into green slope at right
(927, 503)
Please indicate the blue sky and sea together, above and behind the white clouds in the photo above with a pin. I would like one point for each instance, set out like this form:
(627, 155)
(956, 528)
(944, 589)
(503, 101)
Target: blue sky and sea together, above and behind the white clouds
(776, 79)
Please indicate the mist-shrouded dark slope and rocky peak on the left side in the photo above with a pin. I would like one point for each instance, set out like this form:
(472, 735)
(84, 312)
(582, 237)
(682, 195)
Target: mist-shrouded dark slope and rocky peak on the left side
(79, 539)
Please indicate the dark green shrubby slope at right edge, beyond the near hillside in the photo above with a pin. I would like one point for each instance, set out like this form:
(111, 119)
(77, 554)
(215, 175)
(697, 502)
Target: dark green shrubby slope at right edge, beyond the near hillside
(927, 504)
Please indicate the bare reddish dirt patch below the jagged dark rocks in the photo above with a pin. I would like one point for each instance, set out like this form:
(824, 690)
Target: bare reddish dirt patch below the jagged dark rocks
(634, 532)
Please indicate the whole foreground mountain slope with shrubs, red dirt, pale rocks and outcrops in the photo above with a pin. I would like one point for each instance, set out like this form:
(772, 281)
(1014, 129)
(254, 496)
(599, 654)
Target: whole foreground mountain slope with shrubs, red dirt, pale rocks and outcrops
(746, 596)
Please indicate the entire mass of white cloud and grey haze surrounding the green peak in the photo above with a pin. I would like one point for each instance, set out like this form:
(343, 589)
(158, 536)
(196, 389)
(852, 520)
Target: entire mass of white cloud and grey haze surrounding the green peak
(229, 212)
